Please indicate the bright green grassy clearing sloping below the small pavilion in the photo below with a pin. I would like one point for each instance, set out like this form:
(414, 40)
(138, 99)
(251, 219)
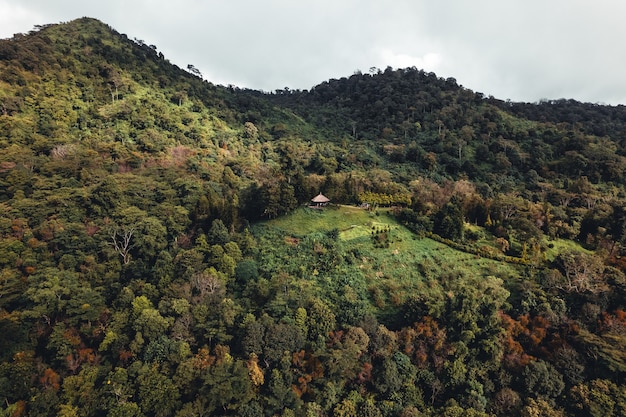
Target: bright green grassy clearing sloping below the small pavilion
(402, 264)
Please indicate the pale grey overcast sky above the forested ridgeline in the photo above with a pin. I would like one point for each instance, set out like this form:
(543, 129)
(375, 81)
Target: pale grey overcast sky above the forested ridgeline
(522, 50)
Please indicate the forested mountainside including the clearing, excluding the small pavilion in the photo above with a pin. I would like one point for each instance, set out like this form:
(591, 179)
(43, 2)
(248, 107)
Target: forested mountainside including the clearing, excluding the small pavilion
(159, 255)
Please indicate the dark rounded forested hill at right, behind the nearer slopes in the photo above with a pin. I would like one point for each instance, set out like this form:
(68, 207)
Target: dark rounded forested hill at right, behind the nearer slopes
(470, 134)
